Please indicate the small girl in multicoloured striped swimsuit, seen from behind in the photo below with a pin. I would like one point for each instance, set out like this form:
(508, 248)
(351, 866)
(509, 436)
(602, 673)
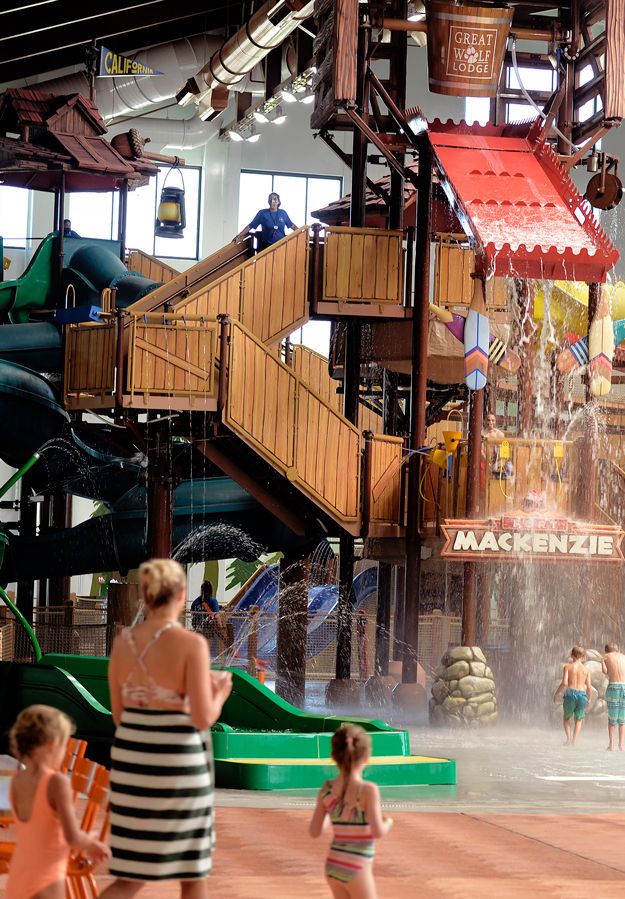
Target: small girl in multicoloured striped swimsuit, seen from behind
(353, 808)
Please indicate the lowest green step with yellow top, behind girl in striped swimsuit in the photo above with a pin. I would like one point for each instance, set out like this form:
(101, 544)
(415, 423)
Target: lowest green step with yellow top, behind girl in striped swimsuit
(298, 773)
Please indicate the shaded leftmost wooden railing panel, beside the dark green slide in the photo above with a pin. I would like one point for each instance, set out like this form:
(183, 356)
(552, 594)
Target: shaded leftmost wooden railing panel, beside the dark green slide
(89, 370)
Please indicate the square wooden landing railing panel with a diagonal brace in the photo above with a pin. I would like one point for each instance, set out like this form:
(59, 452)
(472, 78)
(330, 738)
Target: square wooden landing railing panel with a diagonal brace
(171, 362)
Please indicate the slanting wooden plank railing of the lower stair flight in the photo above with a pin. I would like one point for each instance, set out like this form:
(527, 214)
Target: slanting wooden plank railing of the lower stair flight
(272, 410)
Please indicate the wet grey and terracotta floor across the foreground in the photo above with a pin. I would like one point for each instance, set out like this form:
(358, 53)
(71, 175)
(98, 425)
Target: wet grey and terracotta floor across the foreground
(528, 816)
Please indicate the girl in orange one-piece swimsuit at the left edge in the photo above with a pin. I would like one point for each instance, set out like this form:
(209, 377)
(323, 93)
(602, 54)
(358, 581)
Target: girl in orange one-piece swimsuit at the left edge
(41, 802)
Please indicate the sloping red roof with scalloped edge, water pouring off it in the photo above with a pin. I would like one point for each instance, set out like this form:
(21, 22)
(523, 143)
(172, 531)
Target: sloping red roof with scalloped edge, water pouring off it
(526, 216)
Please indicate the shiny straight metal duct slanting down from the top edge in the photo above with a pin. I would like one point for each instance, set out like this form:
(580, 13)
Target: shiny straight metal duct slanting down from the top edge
(265, 31)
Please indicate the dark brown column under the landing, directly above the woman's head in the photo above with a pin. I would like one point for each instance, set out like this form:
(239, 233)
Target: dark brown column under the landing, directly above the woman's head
(160, 492)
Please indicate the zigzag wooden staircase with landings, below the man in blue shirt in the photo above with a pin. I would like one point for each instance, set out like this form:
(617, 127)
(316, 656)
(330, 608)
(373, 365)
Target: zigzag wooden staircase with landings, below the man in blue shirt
(211, 352)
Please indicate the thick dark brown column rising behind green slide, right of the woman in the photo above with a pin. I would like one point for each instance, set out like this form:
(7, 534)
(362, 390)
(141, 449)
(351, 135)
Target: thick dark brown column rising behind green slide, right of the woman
(292, 630)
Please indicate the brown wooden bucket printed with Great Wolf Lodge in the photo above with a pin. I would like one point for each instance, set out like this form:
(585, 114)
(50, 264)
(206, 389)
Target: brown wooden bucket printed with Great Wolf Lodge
(466, 47)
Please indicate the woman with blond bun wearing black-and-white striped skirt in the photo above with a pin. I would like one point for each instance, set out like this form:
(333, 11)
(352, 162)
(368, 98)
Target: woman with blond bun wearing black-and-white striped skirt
(163, 699)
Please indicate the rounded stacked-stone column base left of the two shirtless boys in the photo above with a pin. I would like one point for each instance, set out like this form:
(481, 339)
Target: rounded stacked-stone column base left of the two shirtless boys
(463, 692)
